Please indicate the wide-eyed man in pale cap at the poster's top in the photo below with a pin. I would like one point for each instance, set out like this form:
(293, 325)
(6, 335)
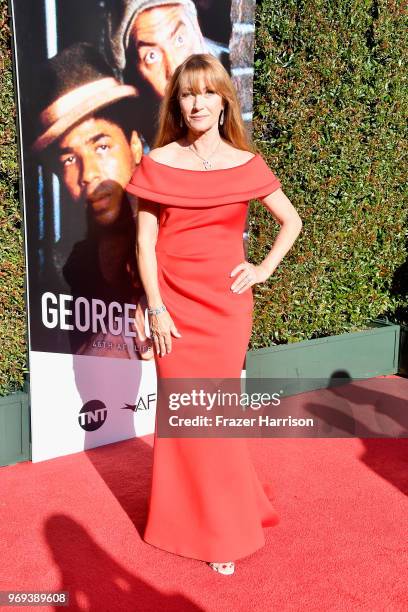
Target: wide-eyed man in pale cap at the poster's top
(150, 38)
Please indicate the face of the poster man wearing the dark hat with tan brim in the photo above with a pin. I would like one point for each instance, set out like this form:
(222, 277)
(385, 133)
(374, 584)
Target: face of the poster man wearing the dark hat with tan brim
(95, 161)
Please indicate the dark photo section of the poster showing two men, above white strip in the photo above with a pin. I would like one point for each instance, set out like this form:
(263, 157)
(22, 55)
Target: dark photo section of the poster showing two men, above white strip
(90, 79)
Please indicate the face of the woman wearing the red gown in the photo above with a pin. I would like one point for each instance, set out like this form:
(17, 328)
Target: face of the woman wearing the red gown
(200, 110)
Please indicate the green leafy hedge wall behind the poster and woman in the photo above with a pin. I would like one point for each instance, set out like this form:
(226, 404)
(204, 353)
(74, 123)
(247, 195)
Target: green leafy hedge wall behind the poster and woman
(329, 117)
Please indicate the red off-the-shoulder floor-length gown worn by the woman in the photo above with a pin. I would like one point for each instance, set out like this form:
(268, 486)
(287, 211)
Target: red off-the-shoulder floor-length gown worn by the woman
(206, 501)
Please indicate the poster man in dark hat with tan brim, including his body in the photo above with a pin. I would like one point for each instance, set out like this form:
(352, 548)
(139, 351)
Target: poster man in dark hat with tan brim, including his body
(85, 135)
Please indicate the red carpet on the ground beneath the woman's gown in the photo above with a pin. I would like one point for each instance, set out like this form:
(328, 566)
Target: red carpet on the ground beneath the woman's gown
(74, 524)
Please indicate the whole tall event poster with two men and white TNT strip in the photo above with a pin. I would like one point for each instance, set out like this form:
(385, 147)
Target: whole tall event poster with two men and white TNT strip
(90, 77)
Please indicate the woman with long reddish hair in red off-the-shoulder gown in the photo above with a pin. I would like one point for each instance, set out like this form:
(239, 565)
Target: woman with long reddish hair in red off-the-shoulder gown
(206, 501)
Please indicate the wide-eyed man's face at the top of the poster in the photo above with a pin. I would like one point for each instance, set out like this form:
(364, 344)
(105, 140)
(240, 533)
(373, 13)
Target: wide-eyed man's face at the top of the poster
(160, 40)
